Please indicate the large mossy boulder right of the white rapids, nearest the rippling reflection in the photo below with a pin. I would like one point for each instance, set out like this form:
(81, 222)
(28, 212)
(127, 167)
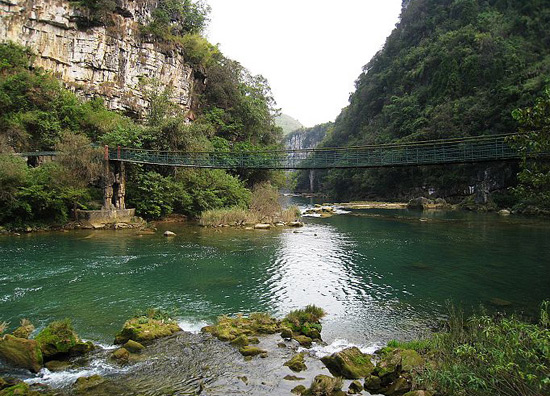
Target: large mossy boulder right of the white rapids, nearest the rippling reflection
(350, 363)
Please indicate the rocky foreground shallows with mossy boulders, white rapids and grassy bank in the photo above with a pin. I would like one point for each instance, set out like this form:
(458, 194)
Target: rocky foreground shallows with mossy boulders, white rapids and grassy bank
(259, 355)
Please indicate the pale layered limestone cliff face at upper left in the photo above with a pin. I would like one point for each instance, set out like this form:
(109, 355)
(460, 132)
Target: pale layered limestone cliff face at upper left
(106, 61)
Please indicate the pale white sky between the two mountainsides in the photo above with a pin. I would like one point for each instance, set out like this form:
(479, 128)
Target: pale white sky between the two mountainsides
(311, 51)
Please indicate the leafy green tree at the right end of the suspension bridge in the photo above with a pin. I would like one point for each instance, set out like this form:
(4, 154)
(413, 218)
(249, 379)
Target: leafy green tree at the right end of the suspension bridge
(534, 138)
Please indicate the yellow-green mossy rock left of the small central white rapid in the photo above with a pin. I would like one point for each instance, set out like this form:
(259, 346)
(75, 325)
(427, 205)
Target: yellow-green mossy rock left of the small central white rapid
(145, 329)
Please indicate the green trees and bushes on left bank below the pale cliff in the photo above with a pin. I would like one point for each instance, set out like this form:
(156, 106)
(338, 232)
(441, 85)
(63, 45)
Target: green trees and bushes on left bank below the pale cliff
(37, 113)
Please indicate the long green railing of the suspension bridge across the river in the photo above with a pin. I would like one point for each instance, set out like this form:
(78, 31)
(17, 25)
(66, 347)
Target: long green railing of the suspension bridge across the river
(461, 150)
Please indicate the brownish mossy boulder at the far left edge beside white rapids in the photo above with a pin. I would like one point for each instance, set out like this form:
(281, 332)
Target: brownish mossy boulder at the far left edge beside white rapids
(21, 352)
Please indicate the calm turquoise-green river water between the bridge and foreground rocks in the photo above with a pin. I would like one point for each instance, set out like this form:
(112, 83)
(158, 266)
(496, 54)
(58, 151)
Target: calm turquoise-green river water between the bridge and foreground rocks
(379, 274)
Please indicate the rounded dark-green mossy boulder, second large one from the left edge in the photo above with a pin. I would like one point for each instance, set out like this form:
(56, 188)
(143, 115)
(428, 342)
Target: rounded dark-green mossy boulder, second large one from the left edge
(57, 339)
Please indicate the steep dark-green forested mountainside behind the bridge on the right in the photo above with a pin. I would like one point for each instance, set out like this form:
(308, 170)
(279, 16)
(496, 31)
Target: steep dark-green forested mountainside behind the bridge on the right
(451, 68)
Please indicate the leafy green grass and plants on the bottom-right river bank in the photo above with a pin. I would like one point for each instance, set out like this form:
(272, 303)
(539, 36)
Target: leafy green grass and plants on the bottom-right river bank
(486, 356)
